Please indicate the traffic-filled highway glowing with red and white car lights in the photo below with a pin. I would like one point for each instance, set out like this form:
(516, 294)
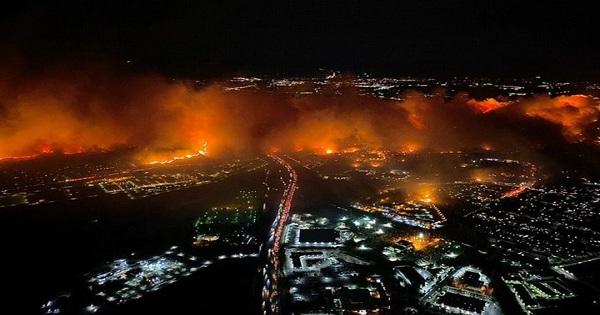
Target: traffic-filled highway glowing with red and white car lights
(271, 272)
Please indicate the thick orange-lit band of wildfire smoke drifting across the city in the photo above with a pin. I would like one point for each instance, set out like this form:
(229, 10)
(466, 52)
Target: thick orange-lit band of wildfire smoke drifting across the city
(71, 111)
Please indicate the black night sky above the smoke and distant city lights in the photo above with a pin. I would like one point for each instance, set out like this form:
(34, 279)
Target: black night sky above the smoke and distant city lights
(420, 37)
